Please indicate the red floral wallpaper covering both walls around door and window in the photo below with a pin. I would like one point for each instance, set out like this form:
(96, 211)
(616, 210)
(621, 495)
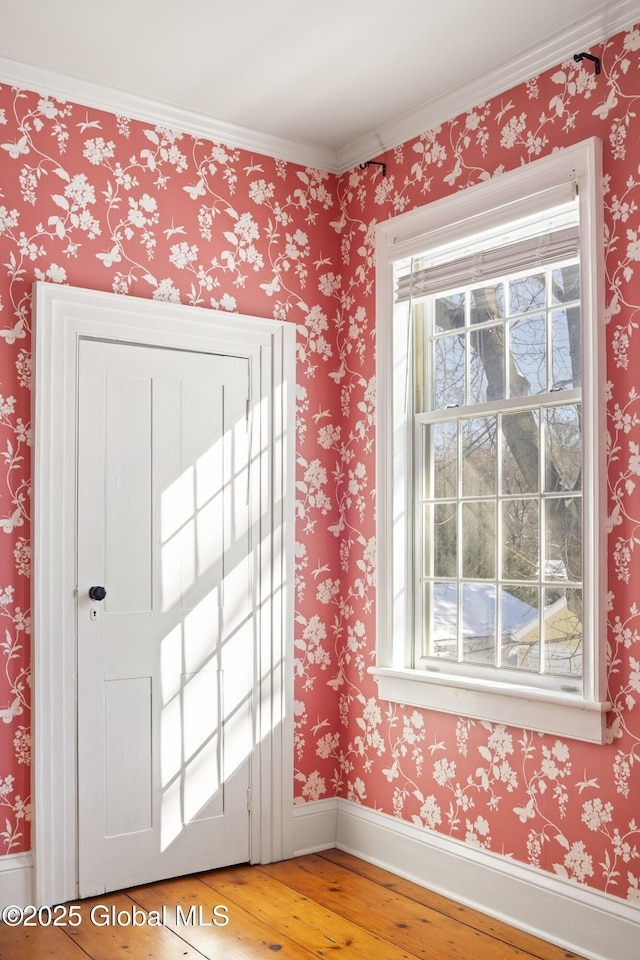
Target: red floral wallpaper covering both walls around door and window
(96, 200)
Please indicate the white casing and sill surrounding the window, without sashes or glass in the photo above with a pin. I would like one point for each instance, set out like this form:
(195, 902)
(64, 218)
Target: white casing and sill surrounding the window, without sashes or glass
(491, 203)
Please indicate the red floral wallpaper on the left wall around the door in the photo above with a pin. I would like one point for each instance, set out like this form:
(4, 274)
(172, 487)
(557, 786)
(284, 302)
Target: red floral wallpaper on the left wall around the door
(101, 201)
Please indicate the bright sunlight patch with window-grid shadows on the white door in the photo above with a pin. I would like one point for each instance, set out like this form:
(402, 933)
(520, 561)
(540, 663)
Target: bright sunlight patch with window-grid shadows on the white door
(207, 658)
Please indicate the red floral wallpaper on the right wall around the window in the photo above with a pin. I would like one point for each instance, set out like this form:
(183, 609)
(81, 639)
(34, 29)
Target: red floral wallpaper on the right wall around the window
(562, 806)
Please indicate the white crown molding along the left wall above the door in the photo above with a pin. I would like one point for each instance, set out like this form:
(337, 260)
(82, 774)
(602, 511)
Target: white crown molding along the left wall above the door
(27, 76)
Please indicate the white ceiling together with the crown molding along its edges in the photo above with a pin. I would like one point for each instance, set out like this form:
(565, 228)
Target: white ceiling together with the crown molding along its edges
(328, 83)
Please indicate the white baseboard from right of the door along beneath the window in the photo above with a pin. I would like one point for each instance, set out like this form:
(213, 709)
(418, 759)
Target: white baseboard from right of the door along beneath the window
(594, 925)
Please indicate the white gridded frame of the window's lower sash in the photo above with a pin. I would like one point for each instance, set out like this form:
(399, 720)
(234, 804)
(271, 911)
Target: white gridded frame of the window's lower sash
(549, 582)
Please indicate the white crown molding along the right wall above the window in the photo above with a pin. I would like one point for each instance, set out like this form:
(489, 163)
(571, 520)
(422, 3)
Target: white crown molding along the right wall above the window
(612, 18)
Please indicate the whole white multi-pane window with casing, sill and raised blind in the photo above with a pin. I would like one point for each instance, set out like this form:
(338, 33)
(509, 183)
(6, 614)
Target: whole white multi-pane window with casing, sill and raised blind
(490, 424)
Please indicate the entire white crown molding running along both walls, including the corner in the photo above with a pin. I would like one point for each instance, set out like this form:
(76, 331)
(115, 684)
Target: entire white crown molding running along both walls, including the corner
(612, 17)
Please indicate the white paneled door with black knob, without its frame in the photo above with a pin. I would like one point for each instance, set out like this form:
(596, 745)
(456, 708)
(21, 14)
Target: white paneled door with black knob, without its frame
(165, 661)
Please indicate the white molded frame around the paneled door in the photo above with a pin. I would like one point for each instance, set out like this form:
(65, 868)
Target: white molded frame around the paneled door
(62, 317)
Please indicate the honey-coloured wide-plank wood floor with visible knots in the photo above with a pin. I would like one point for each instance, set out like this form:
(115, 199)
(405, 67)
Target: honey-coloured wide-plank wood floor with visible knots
(323, 905)
